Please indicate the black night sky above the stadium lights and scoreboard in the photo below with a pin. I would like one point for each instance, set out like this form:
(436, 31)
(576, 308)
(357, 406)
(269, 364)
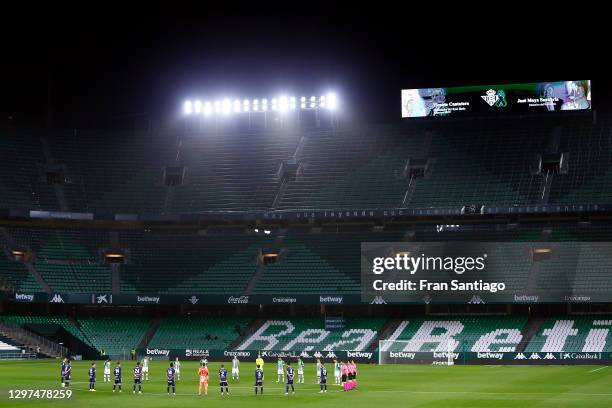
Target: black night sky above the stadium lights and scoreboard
(107, 66)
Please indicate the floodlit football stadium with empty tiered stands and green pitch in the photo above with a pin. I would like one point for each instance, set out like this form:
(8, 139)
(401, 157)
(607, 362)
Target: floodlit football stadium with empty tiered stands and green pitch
(266, 247)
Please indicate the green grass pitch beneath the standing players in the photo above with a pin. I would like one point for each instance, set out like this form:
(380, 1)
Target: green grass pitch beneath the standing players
(379, 387)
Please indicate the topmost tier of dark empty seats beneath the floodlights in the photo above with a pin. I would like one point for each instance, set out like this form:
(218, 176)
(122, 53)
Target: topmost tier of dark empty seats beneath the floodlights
(486, 162)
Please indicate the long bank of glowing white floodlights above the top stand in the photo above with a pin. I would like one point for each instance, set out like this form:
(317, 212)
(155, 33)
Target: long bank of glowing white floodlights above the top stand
(280, 104)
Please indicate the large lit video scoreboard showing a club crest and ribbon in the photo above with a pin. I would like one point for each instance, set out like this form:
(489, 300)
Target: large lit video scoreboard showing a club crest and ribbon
(535, 97)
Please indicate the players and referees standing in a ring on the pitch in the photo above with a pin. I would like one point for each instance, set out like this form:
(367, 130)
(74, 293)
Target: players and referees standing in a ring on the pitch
(347, 375)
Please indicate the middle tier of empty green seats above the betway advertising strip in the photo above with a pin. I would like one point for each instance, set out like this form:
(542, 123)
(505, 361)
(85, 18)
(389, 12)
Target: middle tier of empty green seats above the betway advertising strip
(321, 262)
